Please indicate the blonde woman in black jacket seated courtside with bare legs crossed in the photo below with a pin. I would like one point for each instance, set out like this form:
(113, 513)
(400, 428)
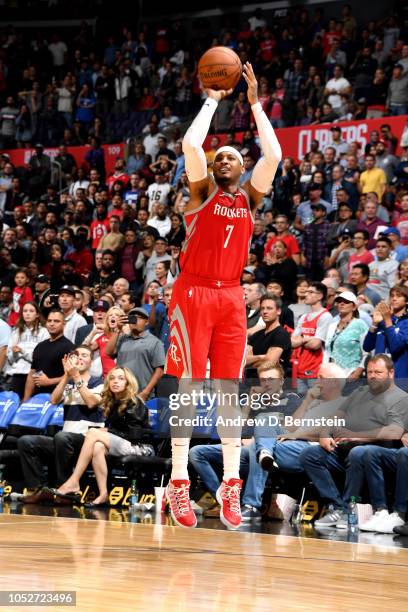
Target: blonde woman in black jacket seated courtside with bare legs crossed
(125, 419)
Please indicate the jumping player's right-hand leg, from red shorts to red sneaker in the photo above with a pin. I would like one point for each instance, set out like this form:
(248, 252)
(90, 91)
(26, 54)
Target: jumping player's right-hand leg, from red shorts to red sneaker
(227, 355)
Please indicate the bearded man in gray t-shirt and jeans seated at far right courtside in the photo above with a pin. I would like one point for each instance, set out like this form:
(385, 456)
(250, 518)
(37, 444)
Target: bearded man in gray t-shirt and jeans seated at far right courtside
(376, 414)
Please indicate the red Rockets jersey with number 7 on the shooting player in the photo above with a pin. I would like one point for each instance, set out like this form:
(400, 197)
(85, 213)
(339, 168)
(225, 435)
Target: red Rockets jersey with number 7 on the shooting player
(218, 236)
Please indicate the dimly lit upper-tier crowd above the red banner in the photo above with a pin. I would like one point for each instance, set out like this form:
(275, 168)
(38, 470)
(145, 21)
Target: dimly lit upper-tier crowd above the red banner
(57, 89)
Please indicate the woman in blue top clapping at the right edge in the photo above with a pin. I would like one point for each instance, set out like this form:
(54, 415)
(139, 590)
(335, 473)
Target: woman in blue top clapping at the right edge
(389, 331)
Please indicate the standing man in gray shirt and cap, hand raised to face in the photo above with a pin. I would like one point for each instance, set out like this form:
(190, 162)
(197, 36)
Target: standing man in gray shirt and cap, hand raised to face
(139, 351)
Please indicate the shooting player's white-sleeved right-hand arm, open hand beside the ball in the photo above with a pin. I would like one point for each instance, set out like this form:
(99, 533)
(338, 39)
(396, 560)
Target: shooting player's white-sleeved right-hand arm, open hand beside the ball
(264, 171)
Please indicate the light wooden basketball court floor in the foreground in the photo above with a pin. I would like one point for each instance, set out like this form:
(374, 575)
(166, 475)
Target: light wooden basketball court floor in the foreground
(120, 566)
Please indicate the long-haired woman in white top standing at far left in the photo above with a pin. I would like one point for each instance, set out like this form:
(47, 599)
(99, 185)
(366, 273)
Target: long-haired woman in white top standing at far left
(28, 332)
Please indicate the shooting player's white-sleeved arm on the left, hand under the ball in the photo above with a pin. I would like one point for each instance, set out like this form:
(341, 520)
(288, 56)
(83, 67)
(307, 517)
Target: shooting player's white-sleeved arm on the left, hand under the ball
(195, 160)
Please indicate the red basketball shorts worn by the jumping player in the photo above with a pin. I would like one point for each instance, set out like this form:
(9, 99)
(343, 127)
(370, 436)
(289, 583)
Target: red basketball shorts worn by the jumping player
(208, 321)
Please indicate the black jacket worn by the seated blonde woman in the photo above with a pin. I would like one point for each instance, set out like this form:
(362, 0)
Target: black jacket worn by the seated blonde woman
(130, 424)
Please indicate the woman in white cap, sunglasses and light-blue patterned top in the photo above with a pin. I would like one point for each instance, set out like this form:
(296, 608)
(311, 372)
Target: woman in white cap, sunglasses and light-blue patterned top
(345, 337)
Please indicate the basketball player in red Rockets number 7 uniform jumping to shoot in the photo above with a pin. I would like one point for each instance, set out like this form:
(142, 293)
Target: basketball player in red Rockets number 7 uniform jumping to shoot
(207, 310)
